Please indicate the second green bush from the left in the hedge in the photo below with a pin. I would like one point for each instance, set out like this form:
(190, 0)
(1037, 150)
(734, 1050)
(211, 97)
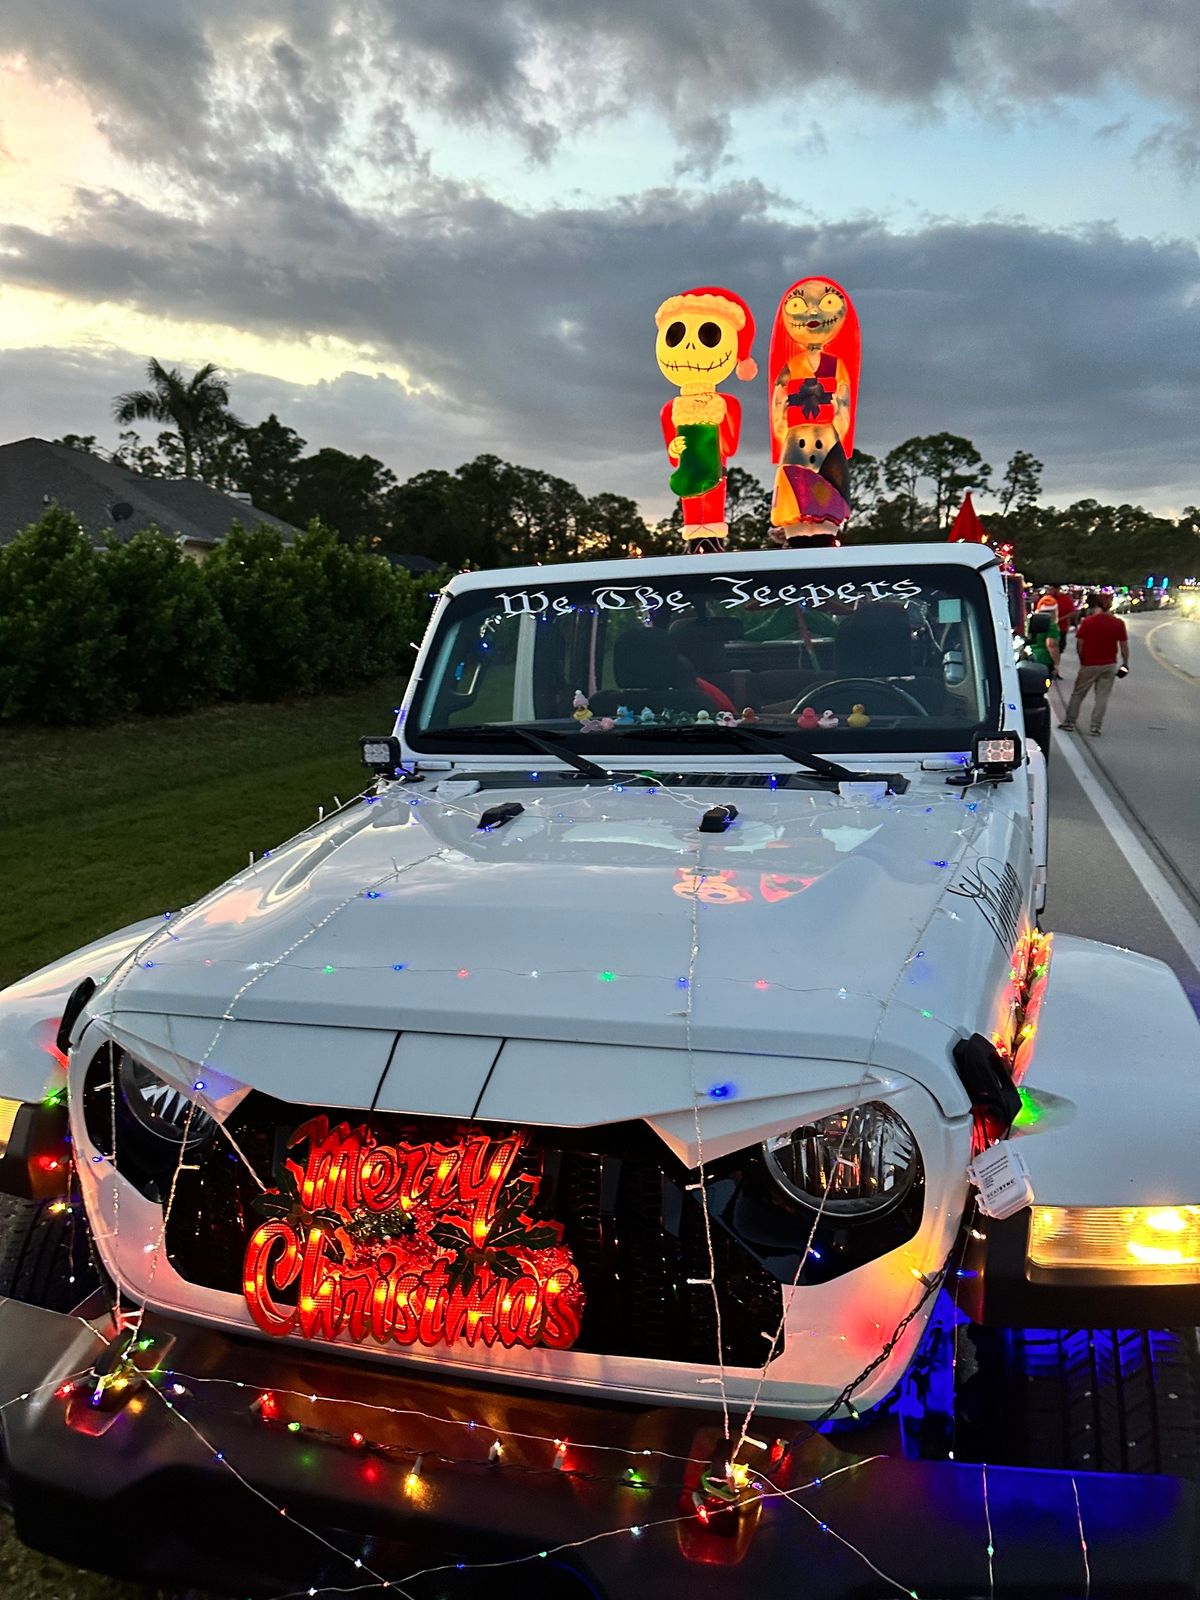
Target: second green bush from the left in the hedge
(175, 647)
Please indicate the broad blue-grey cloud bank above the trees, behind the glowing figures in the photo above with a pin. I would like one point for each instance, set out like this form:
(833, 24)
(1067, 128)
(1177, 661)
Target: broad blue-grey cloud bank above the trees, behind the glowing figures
(532, 335)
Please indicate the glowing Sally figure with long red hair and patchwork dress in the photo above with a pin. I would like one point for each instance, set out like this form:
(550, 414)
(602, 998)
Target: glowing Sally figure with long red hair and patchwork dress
(814, 375)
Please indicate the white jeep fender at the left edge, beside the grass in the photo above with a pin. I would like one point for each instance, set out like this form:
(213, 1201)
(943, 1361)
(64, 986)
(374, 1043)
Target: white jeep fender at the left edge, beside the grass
(30, 1012)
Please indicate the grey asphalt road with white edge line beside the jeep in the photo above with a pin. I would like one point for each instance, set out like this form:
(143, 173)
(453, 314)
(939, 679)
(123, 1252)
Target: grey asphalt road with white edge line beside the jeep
(1126, 809)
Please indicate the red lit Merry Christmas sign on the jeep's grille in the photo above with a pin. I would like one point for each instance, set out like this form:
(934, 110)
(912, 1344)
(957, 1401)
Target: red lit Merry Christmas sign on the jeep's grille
(409, 1244)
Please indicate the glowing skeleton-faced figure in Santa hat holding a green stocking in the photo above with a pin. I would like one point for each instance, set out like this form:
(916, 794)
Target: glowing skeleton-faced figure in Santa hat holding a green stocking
(703, 337)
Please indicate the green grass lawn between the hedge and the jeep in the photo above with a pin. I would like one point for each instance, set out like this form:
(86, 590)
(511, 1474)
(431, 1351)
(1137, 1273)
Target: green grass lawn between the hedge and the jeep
(102, 826)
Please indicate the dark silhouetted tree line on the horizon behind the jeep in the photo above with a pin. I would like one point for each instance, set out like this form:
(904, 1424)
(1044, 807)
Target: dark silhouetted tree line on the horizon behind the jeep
(492, 513)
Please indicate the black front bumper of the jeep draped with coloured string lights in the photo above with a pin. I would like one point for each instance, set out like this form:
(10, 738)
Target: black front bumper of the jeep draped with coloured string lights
(212, 1494)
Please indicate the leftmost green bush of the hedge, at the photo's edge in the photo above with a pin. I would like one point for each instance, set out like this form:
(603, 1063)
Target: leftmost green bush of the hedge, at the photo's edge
(58, 626)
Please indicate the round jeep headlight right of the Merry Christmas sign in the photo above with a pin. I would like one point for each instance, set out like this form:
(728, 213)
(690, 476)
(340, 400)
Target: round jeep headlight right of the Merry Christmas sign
(854, 1164)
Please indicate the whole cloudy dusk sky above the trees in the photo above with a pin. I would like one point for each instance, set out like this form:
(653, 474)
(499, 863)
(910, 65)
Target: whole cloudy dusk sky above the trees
(431, 230)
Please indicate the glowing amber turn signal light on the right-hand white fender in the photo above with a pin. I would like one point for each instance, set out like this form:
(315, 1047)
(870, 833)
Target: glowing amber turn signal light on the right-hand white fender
(1162, 1241)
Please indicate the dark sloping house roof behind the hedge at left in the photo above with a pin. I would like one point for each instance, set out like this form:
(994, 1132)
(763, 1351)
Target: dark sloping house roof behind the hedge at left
(36, 474)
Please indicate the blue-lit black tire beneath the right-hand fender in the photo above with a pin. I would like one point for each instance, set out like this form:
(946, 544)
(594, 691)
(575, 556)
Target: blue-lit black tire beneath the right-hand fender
(1097, 1399)
